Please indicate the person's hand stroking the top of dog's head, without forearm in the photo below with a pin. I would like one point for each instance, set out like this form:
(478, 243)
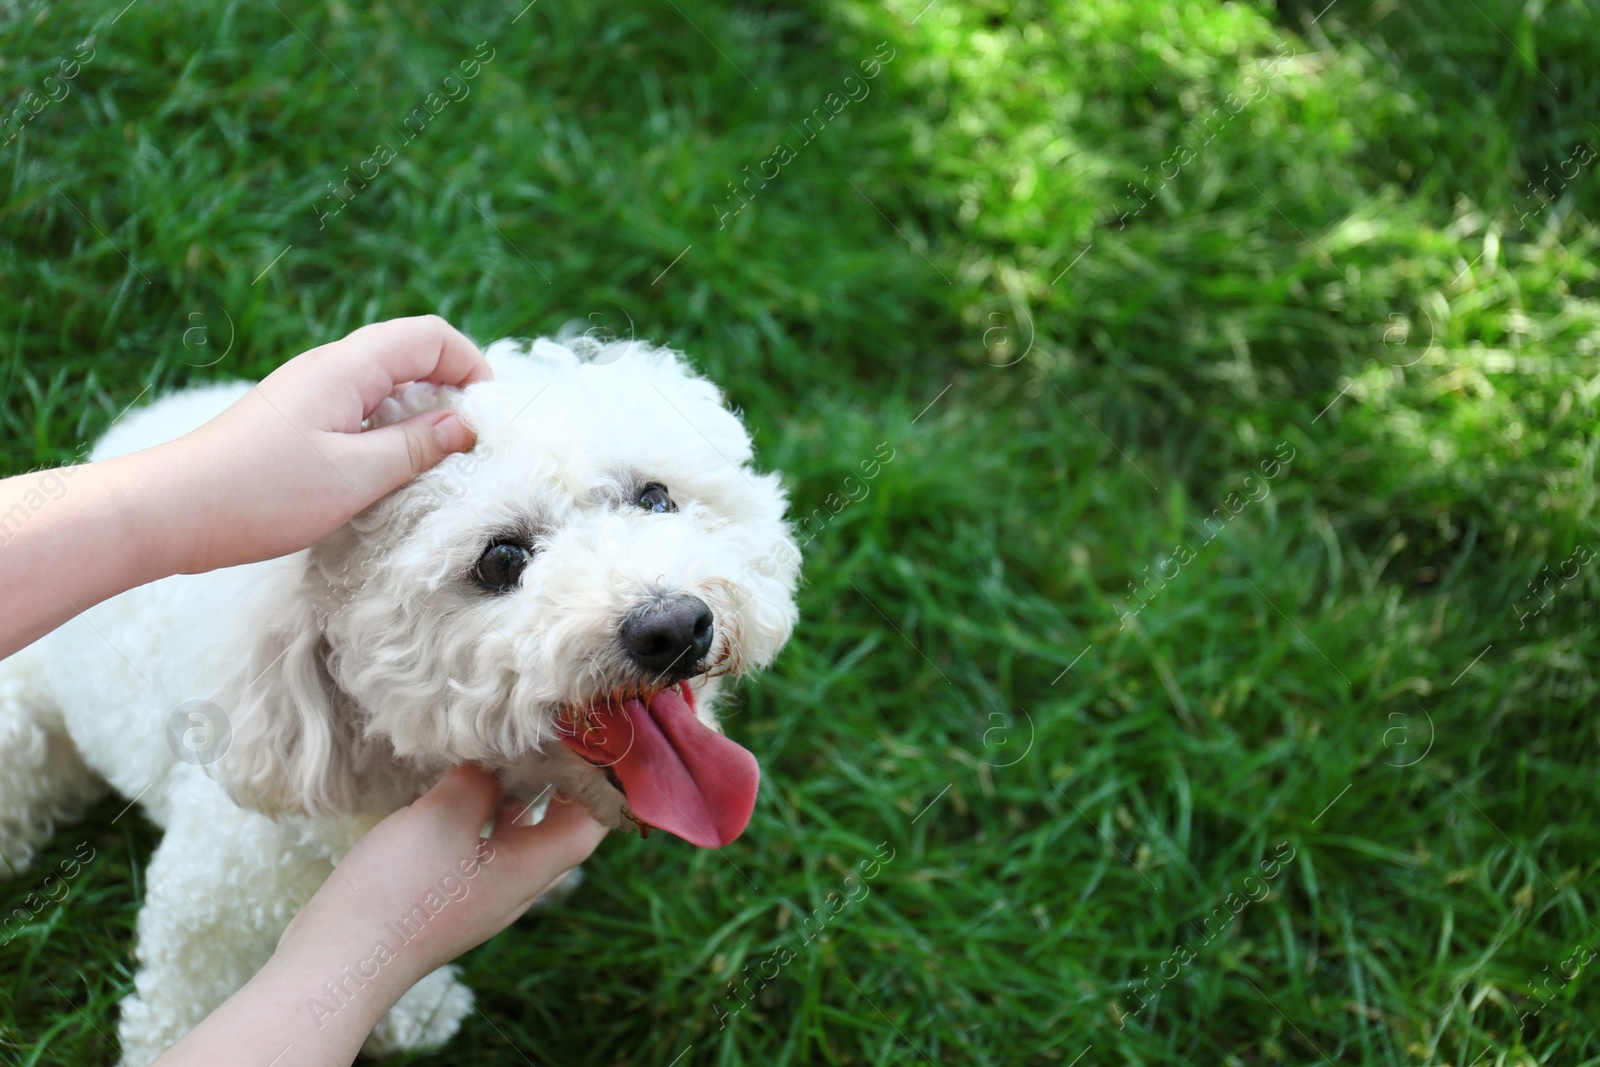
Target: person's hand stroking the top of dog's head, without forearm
(289, 463)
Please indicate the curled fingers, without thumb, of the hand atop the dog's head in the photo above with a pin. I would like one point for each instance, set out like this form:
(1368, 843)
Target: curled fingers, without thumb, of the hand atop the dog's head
(425, 348)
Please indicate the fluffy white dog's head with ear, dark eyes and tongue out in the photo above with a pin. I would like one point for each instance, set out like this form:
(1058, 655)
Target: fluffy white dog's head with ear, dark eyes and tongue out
(559, 605)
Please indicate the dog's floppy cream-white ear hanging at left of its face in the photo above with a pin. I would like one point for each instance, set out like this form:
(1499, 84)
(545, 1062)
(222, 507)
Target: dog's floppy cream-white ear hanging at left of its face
(294, 746)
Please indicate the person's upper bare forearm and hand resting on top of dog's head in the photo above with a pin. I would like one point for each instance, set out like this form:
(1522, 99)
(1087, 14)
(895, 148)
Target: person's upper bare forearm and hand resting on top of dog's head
(276, 473)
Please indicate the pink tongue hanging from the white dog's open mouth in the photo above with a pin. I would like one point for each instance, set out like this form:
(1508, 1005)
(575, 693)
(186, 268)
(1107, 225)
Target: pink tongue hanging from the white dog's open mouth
(679, 775)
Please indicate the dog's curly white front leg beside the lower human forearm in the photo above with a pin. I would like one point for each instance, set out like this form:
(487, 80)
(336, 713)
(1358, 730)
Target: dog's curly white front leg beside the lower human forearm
(220, 890)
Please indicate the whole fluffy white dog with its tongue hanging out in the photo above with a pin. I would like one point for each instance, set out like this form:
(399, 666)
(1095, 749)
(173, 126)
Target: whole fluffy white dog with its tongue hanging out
(558, 605)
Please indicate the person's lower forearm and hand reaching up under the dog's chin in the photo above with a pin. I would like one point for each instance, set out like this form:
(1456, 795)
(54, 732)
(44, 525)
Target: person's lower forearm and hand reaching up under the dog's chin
(380, 895)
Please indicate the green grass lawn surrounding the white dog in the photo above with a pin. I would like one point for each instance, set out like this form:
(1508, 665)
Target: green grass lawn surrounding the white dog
(1353, 266)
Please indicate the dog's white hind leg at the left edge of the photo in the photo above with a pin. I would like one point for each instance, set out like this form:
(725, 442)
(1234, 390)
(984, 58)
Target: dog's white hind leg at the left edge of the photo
(42, 778)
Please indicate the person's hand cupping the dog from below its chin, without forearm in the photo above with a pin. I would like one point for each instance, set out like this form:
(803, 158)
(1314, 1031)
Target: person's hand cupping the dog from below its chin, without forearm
(433, 849)
